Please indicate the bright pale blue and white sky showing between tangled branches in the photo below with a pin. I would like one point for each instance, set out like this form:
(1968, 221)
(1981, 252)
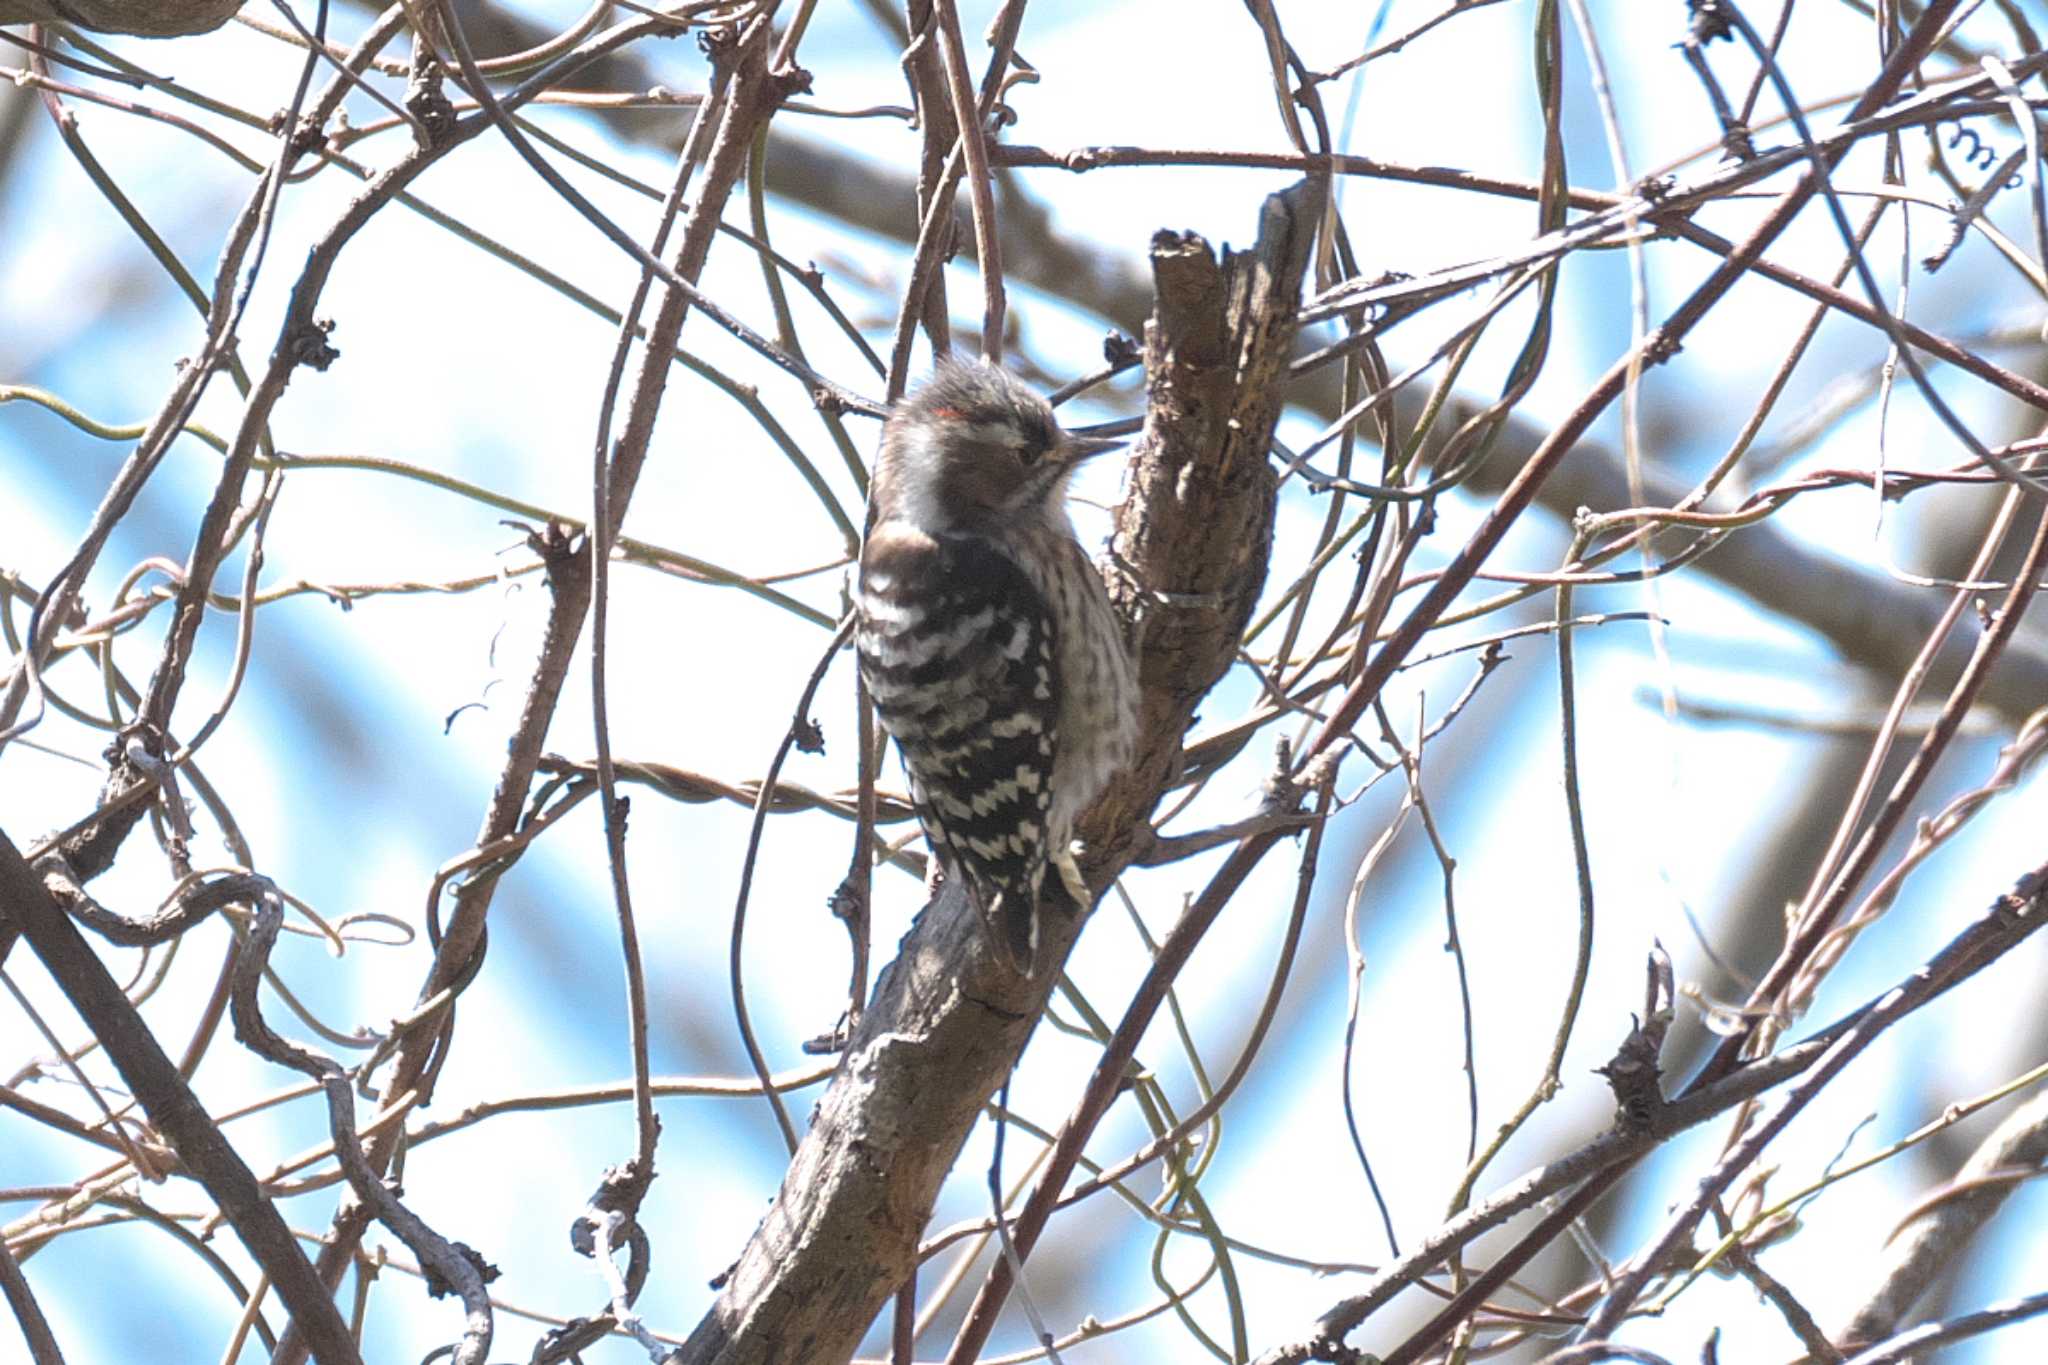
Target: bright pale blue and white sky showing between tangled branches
(353, 785)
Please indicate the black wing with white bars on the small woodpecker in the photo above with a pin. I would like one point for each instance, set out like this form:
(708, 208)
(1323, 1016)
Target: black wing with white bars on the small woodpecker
(957, 652)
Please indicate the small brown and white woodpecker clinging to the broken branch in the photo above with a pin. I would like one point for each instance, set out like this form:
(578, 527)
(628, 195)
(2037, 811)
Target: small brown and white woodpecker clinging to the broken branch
(988, 642)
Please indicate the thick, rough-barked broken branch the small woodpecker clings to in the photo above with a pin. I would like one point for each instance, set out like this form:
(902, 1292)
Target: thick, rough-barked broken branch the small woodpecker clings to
(947, 1022)
